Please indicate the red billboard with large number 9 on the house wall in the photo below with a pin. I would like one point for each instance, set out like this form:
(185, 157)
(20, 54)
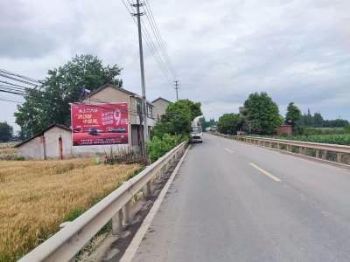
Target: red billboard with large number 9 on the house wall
(99, 124)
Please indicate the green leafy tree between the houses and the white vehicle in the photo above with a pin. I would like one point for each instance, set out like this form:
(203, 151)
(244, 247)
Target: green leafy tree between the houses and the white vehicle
(177, 119)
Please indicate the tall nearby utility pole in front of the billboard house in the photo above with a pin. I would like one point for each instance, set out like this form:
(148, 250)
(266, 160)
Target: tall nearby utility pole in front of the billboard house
(138, 14)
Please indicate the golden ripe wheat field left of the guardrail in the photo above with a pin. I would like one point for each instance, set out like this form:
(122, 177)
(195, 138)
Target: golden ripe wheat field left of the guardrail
(36, 196)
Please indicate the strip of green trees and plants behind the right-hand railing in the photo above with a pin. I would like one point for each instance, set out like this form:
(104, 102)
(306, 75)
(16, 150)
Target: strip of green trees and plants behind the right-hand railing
(260, 116)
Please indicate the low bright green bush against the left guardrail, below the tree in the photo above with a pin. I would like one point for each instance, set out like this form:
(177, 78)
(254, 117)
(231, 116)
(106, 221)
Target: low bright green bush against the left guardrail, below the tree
(158, 146)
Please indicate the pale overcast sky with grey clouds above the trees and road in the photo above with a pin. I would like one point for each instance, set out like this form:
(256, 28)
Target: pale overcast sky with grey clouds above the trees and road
(222, 50)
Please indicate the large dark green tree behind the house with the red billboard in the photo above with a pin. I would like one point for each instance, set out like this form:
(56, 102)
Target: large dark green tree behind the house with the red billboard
(63, 85)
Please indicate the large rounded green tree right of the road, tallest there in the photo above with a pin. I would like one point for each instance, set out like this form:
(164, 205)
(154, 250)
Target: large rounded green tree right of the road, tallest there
(261, 114)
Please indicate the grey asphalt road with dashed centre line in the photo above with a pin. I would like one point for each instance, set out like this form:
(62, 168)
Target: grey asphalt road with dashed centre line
(238, 202)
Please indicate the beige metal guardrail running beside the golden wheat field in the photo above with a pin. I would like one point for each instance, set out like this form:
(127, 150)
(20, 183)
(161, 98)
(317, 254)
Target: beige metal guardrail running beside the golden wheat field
(67, 242)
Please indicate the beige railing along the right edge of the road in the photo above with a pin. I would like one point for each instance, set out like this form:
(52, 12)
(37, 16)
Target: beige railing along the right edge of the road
(330, 152)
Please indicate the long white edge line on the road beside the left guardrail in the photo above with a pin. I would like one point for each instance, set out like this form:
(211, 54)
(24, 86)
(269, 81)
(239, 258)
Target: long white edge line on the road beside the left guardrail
(136, 241)
